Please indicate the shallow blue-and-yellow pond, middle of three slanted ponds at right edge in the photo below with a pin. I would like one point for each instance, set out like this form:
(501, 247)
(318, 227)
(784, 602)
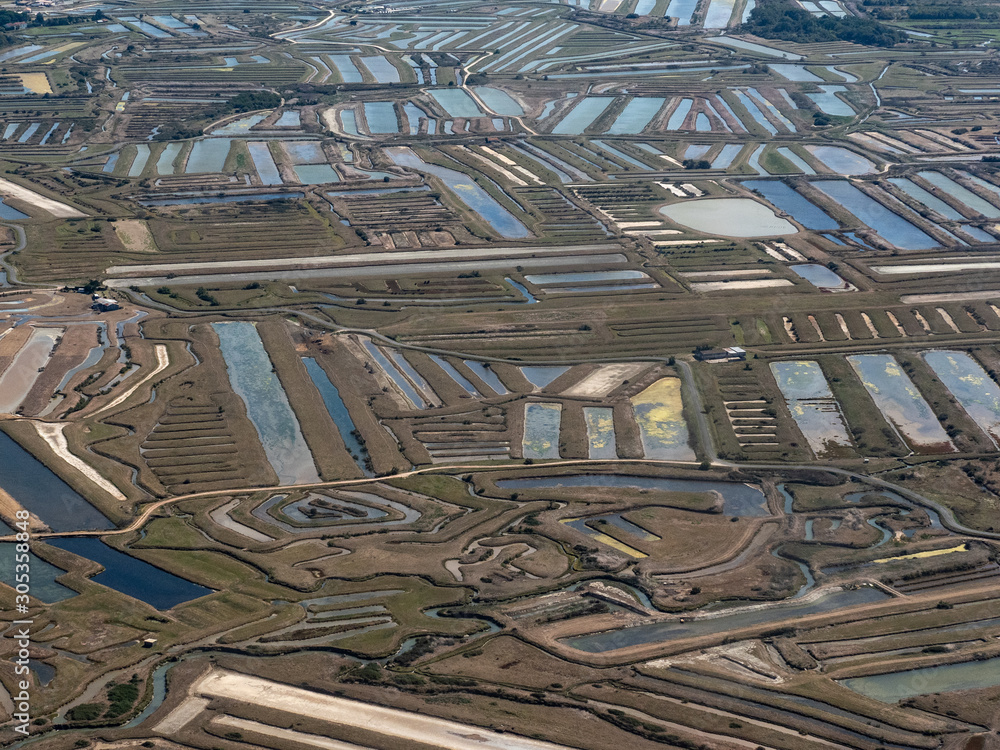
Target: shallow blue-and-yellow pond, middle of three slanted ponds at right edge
(900, 402)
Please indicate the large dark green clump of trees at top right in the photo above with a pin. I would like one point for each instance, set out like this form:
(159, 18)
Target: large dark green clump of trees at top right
(779, 19)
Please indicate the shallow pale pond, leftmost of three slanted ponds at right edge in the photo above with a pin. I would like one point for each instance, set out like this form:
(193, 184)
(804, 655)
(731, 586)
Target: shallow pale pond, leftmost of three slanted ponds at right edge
(812, 404)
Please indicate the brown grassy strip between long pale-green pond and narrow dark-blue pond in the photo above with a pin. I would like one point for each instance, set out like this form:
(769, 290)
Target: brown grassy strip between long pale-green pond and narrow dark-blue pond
(321, 434)
